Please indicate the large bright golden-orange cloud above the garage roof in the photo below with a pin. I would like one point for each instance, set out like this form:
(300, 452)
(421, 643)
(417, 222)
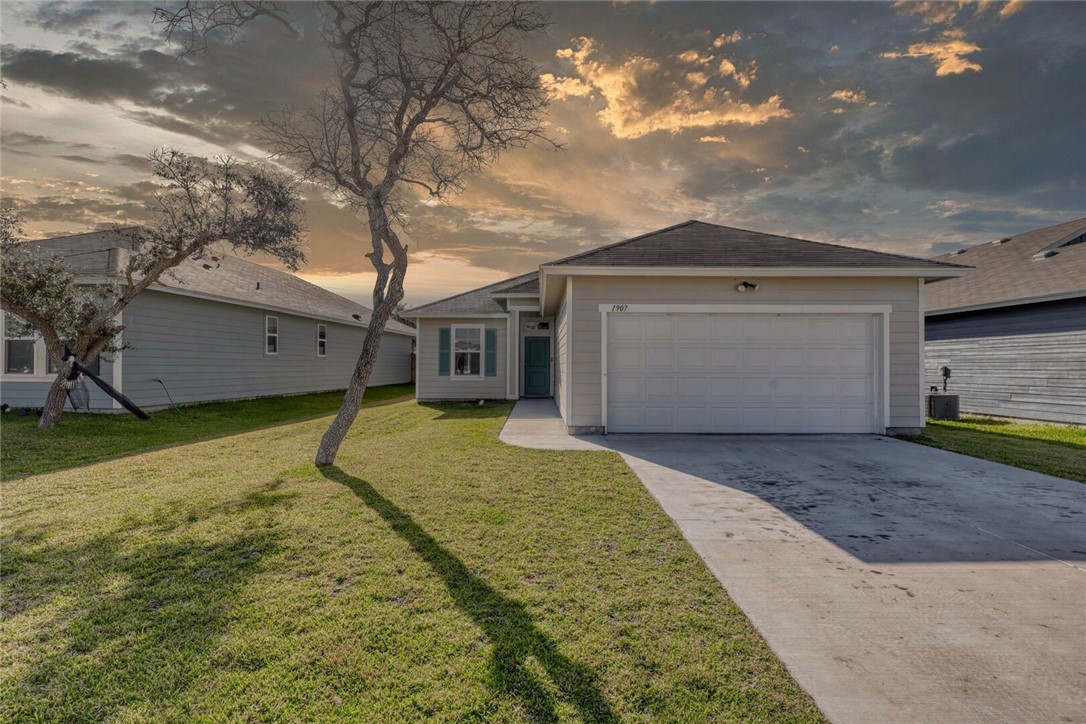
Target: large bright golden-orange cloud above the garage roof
(641, 96)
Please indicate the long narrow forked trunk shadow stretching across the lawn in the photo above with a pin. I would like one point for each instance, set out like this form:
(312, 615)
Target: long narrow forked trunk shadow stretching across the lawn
(506, 623)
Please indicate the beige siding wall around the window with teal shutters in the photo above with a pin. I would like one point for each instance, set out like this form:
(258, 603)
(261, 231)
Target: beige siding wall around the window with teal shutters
(431, 386)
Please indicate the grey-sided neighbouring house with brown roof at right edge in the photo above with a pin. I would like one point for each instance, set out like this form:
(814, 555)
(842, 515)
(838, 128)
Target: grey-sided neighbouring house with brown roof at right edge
(1014, 332)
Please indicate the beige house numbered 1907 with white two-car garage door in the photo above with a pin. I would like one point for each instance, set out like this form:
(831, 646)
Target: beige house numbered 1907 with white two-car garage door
(694, 328)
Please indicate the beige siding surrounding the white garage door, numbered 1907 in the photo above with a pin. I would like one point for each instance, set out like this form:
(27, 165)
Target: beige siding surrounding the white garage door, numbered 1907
(901, 294)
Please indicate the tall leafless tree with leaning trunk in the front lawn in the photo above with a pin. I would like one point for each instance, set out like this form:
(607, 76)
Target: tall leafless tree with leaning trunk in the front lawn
(425, 94)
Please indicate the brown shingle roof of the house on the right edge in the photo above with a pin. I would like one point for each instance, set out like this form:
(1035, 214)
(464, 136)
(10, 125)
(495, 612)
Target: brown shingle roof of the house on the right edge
(1045, 264)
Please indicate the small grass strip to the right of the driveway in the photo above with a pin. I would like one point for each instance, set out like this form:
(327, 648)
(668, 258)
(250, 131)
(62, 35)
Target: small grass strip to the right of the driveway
(1051, 449)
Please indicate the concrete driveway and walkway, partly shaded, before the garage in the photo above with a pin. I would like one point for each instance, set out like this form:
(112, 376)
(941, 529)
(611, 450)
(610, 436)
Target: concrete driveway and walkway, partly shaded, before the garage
(899, 583)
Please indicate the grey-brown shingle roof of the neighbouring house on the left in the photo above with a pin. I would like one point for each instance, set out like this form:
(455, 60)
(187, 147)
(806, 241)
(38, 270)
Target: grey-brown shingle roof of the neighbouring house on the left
(221, 277)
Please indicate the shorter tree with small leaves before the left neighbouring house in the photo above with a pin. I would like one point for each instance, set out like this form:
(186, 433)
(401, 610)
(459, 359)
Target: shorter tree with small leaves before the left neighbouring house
(245, 206)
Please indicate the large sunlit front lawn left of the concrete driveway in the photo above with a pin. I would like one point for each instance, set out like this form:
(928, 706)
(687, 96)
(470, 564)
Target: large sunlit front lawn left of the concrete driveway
(436, 574)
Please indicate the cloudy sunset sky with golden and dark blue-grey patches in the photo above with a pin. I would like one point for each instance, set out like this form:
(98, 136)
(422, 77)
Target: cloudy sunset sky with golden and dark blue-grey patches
(907, 128)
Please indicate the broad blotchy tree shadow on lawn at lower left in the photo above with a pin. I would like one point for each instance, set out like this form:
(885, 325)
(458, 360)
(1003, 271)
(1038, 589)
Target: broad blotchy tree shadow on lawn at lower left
(127, 623)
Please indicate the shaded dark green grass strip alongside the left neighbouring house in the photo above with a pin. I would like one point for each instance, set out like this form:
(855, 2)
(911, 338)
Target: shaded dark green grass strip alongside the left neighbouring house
(83, 439)
